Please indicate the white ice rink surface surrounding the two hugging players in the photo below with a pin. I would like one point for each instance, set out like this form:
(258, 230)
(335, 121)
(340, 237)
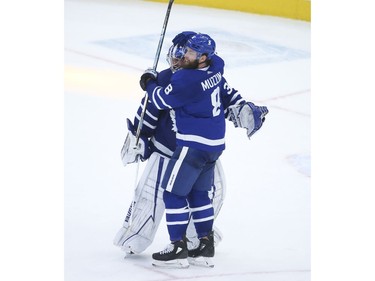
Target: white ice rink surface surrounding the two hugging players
(266, 215)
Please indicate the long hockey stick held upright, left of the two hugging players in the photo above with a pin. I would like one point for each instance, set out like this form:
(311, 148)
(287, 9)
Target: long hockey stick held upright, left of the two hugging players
(128, 217)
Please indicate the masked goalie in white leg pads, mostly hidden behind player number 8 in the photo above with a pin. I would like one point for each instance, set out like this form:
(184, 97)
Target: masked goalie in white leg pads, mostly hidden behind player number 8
(147, 208)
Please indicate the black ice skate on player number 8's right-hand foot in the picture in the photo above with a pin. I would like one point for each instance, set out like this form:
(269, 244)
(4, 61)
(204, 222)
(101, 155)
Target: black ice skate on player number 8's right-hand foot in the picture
(203, 255)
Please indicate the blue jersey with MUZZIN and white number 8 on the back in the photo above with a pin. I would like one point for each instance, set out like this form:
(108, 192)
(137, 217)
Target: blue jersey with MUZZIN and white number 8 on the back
(194, 97)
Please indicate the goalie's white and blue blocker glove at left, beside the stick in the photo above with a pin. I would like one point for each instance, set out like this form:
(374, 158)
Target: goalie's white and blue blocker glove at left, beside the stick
(130, 152)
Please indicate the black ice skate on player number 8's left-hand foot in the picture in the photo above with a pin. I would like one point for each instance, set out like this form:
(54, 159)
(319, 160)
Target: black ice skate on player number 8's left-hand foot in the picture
(173, 256)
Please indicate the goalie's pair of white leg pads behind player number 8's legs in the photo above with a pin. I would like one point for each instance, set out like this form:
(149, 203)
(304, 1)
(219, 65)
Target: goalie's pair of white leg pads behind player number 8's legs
(147, 208)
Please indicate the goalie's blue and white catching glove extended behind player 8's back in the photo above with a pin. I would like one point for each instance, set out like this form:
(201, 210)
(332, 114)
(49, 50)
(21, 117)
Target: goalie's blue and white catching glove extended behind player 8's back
(248, 115)
